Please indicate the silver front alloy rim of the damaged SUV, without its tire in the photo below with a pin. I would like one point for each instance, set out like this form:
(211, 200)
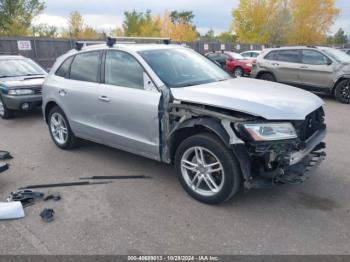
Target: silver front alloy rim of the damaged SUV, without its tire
(202, 171)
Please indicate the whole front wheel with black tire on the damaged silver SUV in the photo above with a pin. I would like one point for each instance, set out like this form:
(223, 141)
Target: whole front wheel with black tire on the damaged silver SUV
(227, 180)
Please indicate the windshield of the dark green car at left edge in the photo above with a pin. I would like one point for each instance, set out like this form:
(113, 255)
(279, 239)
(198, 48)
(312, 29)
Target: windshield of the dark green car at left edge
(19, 67)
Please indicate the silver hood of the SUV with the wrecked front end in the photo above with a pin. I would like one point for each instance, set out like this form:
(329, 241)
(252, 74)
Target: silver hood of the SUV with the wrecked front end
(269, 100)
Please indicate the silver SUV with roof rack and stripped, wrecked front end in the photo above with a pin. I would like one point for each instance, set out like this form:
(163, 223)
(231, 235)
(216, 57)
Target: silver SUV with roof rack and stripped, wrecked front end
(171, 104)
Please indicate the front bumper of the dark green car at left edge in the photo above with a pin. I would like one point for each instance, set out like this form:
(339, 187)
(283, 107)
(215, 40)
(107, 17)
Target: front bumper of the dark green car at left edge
(16, 102)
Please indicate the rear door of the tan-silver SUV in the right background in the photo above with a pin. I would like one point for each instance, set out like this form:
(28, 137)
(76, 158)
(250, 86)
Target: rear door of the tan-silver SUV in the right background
(287, 65)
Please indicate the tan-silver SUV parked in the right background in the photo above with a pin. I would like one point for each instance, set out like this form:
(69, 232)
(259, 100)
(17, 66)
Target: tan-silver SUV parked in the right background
(318, 69)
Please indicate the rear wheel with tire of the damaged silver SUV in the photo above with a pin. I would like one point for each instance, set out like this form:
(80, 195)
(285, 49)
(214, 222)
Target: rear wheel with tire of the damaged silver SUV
(60, 130)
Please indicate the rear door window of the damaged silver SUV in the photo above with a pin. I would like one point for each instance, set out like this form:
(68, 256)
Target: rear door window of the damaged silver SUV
(85, 67)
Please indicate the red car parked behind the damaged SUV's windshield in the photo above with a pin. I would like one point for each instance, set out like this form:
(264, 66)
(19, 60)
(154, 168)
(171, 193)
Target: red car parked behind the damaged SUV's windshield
(232, 62)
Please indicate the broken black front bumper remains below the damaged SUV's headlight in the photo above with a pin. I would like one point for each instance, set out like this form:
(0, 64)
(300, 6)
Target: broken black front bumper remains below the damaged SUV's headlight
(288, 168)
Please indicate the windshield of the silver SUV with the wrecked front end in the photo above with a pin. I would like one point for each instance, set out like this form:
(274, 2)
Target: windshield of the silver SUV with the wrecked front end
(183, 67)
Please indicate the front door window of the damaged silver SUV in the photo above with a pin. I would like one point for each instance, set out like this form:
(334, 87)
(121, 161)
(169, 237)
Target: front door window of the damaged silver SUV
(122, 69)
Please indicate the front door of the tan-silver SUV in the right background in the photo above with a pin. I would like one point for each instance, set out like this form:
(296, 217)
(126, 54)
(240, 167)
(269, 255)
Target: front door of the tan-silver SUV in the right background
(316, 69)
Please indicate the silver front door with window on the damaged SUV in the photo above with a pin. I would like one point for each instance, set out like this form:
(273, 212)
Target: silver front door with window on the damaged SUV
(128, 106)
